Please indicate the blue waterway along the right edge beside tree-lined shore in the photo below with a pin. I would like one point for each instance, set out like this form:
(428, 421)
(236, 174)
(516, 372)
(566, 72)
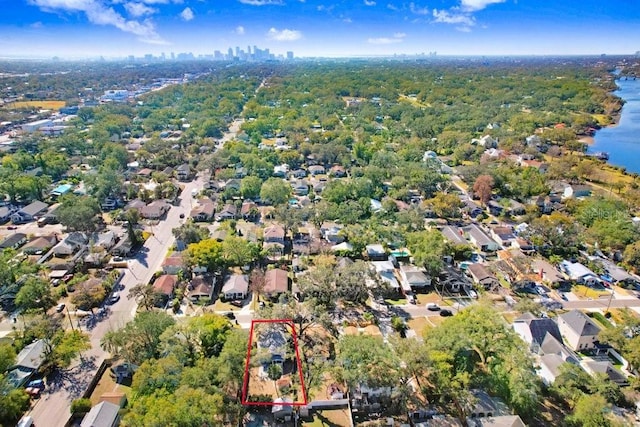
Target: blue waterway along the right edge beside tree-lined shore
(622, 141)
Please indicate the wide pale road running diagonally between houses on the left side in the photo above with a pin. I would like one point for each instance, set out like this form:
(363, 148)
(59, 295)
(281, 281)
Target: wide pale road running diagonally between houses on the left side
(52, 409)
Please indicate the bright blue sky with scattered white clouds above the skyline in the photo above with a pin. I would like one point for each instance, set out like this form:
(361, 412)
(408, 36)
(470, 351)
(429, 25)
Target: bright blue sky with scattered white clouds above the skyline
(117, 28)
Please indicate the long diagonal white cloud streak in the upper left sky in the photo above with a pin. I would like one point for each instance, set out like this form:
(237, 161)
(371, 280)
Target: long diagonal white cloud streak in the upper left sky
(99, 13)
